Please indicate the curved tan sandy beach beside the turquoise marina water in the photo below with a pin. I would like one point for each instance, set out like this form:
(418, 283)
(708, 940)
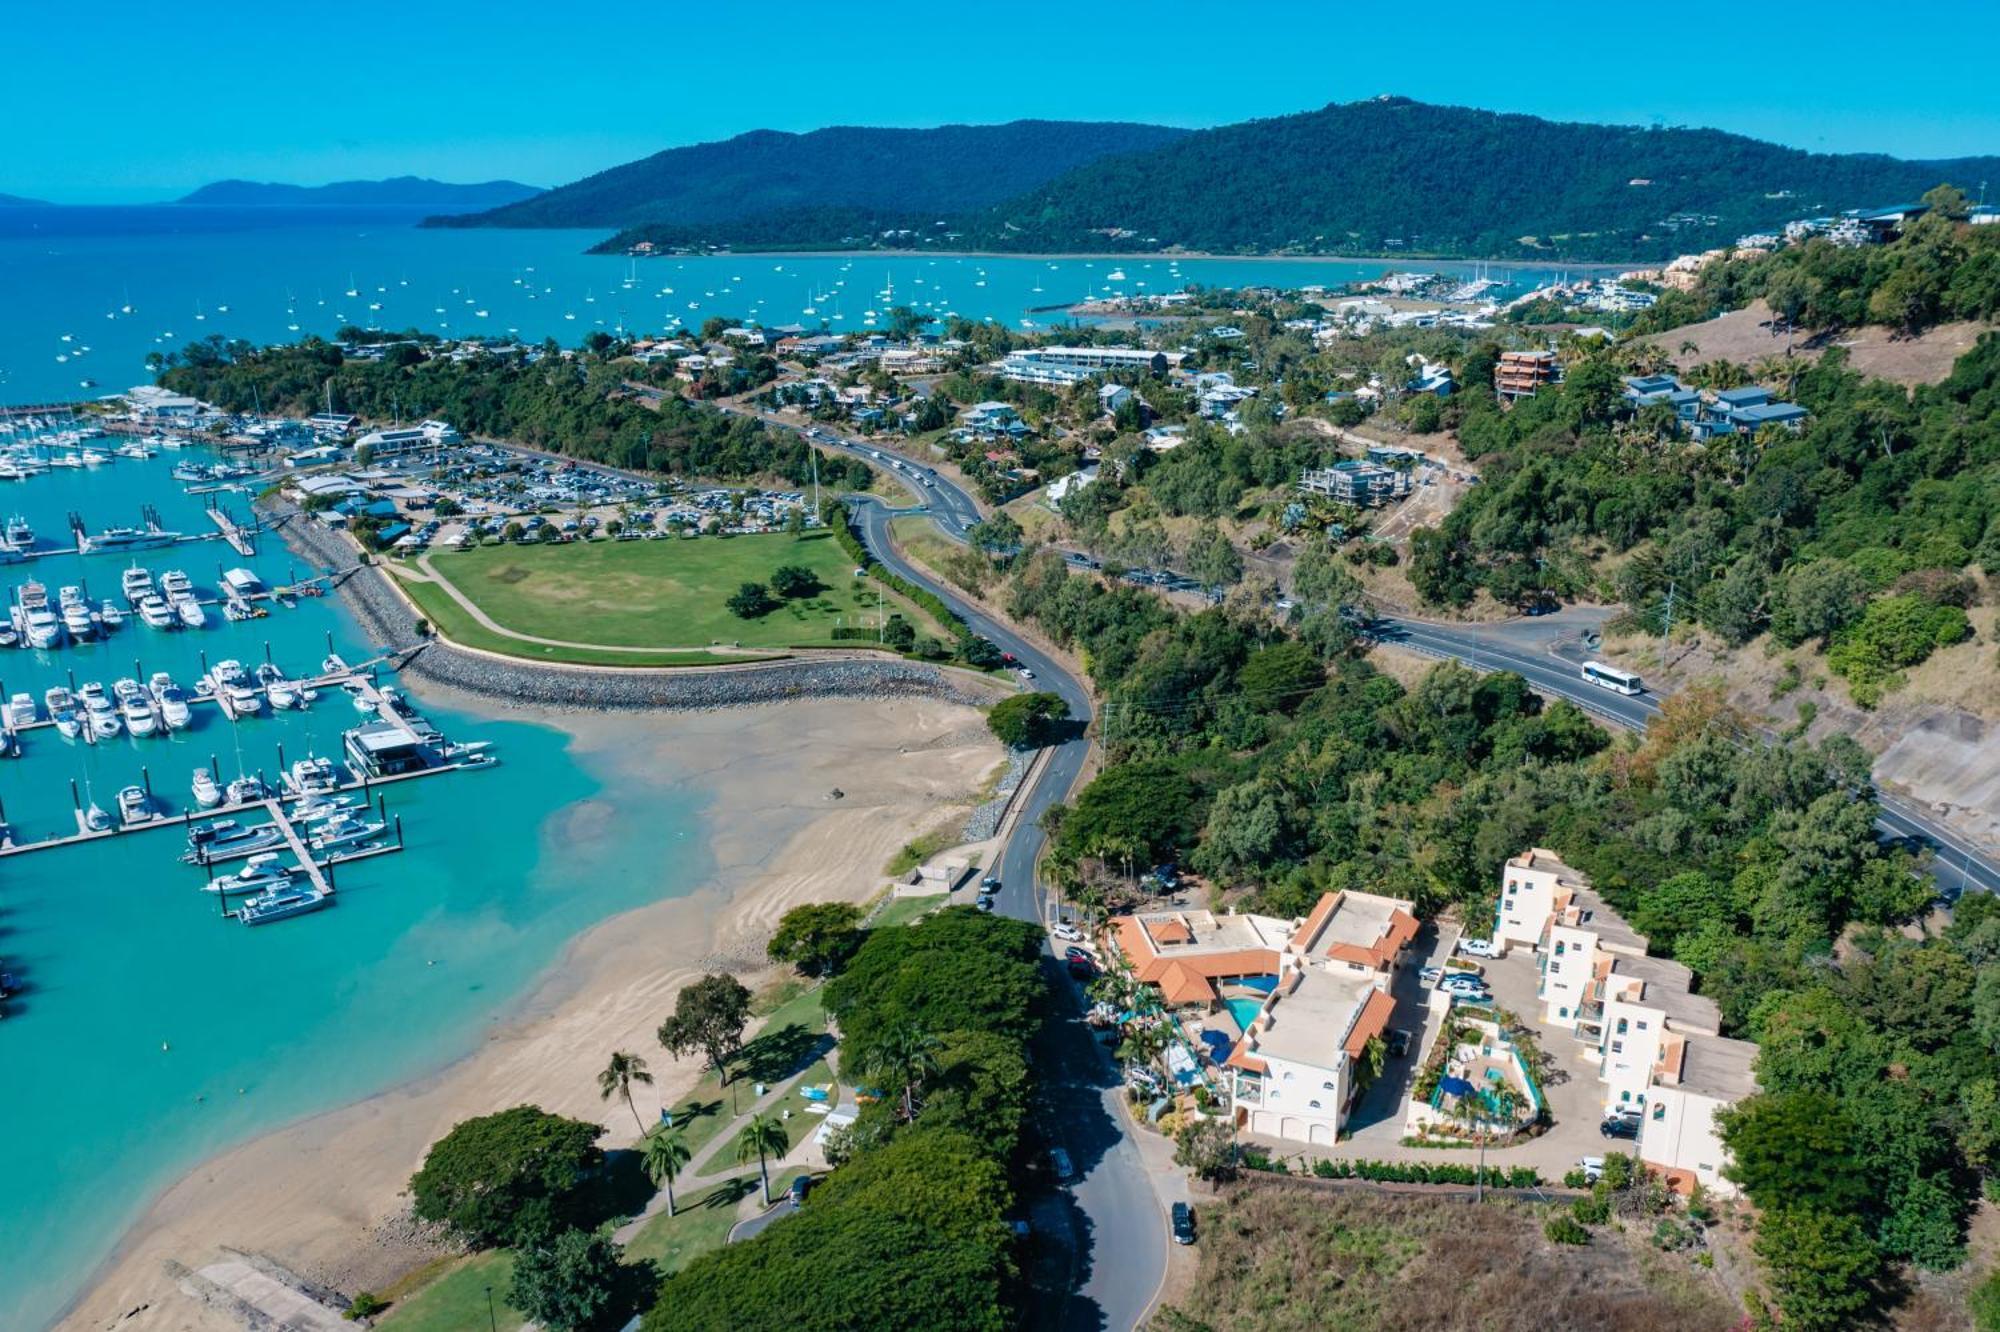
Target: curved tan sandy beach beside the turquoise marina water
(325, 1195)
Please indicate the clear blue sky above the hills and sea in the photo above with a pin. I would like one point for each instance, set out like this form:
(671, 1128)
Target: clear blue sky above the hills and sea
(119, 101)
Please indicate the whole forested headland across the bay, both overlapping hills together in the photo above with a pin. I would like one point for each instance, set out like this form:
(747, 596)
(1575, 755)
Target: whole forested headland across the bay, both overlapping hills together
(1379, 177)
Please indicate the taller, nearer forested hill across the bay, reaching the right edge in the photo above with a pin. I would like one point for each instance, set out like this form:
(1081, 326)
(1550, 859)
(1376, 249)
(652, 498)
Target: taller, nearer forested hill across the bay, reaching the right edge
(1393, 177)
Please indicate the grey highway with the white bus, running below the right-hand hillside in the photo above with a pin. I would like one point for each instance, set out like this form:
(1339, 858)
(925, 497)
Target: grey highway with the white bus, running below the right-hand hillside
(1955, 863)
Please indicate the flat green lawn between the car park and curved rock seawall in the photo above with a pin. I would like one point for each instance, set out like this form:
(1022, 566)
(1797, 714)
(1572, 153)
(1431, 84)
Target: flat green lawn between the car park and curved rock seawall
(659, 595)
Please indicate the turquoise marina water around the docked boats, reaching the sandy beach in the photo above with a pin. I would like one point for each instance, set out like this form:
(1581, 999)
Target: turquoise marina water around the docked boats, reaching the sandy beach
(153, 1033)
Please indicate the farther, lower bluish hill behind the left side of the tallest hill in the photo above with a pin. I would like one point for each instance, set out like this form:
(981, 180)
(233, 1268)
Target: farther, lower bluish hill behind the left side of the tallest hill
(945, 171)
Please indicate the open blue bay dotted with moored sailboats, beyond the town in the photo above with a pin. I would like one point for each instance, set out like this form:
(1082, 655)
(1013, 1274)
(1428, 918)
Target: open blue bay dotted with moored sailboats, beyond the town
(269, 277)
